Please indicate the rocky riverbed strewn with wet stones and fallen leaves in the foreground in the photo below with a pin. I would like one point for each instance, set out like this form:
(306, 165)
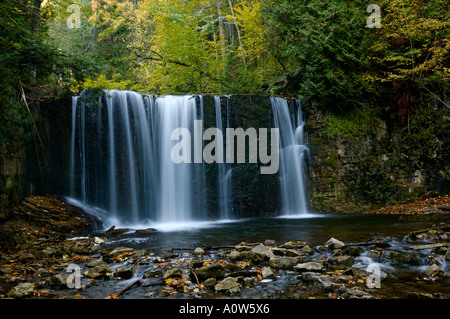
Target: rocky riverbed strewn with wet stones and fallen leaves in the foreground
(43, 263)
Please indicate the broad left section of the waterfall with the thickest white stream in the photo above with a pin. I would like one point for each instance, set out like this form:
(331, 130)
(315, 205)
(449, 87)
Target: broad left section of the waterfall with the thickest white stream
(121, 157)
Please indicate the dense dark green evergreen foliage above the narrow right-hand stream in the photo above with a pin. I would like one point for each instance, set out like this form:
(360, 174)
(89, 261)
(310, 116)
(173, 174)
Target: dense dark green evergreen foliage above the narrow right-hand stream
(319, 46)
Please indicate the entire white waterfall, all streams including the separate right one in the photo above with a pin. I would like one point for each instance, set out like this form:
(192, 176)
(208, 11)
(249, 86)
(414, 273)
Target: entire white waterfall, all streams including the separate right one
(121, 158)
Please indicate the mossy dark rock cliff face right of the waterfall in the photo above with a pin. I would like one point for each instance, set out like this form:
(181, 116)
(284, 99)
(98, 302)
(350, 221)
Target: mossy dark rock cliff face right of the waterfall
(368, 159)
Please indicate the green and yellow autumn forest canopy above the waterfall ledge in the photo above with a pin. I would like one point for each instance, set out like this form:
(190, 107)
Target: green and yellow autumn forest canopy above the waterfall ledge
(321, 51)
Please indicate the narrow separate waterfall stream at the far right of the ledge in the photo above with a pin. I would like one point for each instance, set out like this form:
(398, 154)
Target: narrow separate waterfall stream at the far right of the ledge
(292, 152)
